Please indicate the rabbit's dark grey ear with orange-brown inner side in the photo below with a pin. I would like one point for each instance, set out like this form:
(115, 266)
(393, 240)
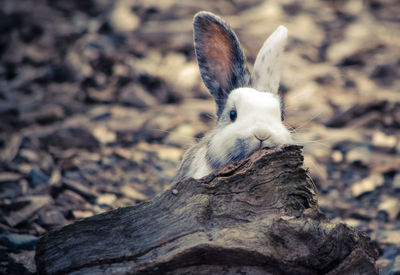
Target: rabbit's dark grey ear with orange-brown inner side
(221, 60)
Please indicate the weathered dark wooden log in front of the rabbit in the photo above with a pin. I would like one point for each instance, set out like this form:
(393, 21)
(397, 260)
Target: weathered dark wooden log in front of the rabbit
(259, 216)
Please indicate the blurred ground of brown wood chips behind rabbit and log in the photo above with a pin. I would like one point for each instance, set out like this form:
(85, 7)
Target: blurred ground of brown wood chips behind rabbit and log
(100, 98)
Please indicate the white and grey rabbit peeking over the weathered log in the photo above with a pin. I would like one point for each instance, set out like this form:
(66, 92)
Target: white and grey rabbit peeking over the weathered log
(249, 110)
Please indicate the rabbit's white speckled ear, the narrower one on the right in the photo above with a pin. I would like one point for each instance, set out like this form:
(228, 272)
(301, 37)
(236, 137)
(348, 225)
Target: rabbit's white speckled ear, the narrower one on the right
(266, 74)
